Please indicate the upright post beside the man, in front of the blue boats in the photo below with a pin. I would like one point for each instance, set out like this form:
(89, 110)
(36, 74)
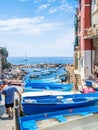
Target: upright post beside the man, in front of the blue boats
(16, 115)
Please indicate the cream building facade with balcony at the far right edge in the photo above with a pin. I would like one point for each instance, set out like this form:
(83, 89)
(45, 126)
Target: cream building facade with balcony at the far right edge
(94, 28)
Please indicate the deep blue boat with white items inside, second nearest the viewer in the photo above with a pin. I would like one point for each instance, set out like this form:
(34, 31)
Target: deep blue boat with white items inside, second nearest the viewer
(50, 103)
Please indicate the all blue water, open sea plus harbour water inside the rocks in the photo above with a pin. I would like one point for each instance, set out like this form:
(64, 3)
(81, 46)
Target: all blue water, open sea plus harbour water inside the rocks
(41, 60)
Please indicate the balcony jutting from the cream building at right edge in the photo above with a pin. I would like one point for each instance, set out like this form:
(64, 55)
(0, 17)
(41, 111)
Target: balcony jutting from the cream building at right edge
(91, 33)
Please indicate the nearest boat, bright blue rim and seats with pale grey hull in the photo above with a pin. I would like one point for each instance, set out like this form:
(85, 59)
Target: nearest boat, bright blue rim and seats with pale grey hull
(78, 119)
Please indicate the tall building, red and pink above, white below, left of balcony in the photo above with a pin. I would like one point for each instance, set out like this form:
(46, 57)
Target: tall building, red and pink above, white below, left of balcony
(84, 47)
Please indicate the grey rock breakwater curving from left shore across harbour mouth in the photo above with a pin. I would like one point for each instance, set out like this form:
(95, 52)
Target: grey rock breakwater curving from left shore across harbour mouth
(16, 73)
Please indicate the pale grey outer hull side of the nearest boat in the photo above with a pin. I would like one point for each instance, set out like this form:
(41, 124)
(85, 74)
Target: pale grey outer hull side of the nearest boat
(83, 123)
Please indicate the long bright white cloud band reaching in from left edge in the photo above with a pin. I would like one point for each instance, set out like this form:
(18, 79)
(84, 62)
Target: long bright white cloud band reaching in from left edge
(23, 25)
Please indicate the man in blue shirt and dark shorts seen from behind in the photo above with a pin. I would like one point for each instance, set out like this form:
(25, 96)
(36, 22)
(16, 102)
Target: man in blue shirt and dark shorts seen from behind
(9, 92)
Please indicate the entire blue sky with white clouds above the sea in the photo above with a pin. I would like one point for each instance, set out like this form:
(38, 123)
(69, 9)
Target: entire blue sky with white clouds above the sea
(37, 27)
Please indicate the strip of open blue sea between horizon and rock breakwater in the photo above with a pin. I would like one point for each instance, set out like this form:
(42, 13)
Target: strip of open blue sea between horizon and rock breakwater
(39, 60)
